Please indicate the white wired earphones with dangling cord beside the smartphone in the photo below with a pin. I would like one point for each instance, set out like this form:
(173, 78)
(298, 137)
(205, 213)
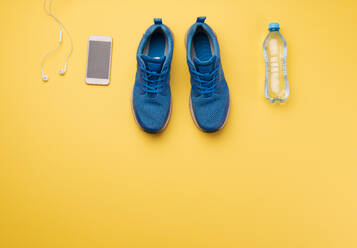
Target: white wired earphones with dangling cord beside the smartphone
(62, 27)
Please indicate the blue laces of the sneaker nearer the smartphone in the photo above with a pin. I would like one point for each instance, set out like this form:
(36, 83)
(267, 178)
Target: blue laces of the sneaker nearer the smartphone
(153, 80)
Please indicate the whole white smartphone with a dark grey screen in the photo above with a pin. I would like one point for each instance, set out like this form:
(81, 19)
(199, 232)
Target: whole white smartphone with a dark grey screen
(99, 60)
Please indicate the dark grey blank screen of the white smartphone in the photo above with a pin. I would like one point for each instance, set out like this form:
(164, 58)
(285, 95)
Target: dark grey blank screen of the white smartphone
(99, 59)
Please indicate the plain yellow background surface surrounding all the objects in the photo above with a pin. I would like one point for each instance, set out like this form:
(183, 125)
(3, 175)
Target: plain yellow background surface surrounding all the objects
(76, 171)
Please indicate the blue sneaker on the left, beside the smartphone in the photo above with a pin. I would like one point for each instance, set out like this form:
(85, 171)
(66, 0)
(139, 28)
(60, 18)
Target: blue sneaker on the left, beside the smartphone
(151, 99)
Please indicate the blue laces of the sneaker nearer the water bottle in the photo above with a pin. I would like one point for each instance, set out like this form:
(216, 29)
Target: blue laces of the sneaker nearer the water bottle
(206, 81)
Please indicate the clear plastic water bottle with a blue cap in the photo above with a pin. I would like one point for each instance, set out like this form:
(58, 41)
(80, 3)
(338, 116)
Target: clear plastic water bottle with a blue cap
(276, 79)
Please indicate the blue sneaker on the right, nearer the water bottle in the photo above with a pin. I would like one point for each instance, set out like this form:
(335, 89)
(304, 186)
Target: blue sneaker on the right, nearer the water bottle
(209, 101)
